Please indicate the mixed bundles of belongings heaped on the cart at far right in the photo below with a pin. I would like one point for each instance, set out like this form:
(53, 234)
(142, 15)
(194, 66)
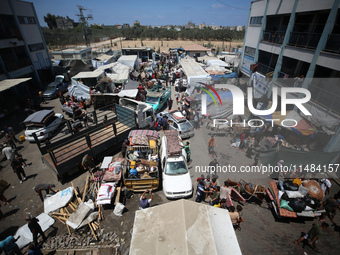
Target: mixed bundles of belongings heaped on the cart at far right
(298, 196)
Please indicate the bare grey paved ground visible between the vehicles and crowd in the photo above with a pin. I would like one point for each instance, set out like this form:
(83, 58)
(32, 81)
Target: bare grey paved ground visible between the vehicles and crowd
(261, 233)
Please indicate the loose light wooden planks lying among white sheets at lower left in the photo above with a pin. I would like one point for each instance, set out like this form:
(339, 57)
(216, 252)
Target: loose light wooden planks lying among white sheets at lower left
(66, 211)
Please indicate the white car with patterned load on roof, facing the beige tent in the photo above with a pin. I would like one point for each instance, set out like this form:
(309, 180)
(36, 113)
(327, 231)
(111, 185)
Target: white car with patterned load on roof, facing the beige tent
(176, 177)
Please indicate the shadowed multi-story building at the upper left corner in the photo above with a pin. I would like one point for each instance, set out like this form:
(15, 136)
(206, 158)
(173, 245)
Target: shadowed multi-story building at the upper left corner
(23, 51)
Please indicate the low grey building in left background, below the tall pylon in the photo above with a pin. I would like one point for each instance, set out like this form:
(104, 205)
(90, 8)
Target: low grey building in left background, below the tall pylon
(78, 53)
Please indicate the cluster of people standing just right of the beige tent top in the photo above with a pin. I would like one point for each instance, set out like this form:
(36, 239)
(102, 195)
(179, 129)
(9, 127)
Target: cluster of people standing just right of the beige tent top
(209, 191)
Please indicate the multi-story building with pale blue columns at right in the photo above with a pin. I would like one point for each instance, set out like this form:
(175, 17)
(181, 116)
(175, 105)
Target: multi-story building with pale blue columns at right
(297, 43)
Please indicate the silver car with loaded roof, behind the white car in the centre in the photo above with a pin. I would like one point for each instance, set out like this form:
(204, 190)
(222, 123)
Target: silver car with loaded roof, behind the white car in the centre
(177, 121)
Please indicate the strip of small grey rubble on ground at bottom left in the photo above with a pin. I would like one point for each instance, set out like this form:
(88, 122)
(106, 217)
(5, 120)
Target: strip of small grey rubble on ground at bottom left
(84, 241)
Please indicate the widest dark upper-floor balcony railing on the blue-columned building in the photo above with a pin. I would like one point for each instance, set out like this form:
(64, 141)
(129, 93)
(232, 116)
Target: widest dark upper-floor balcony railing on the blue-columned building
(304, 40)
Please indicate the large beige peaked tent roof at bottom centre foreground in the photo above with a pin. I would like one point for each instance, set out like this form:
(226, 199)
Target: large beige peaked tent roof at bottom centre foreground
(183, 227)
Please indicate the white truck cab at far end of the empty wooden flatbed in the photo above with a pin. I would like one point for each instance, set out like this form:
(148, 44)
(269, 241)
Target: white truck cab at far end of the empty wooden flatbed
(144, 112)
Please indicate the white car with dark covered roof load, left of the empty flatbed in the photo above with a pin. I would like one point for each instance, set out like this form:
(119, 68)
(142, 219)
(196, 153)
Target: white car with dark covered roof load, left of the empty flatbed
(43, 124)
